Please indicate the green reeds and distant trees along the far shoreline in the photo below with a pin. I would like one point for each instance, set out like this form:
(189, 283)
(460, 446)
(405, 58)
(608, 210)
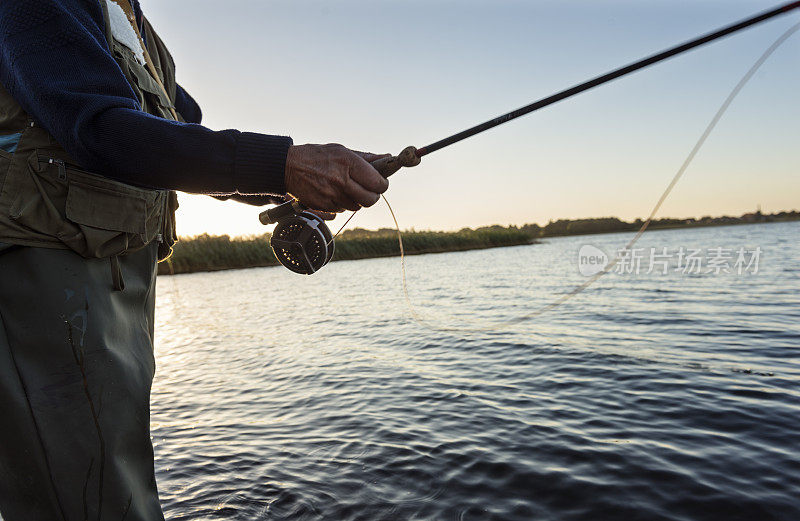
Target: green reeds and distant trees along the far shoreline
(214, 253)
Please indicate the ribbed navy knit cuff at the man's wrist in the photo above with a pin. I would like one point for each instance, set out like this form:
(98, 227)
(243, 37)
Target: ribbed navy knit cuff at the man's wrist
(261, 163)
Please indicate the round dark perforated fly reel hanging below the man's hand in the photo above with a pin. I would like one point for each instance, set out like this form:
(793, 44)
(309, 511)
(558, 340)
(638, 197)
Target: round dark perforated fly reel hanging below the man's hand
(301, 240)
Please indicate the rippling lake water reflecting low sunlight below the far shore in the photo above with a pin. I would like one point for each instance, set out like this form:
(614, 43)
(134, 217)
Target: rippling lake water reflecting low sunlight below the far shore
(649, 396)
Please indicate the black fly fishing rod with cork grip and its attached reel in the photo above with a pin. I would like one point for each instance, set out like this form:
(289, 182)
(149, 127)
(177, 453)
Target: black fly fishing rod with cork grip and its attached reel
(303, 242)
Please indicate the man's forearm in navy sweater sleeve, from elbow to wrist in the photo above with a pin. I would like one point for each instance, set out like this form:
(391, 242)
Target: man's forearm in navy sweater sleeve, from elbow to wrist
(145, 150)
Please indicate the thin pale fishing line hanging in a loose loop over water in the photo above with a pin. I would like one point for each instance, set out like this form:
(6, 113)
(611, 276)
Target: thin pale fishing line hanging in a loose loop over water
(423, 321)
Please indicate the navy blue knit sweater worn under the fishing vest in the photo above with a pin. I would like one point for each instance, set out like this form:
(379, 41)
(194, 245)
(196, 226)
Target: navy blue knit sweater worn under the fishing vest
(55, 62)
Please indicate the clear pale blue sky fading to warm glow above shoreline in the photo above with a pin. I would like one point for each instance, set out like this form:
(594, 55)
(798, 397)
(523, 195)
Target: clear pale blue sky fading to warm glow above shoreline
(378, 75)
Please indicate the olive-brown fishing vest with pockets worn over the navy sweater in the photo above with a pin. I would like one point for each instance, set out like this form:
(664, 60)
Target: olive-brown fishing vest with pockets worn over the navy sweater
(47, 200)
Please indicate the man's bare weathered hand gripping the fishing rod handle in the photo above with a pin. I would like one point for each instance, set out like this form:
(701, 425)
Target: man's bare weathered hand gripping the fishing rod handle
(333, 178)
